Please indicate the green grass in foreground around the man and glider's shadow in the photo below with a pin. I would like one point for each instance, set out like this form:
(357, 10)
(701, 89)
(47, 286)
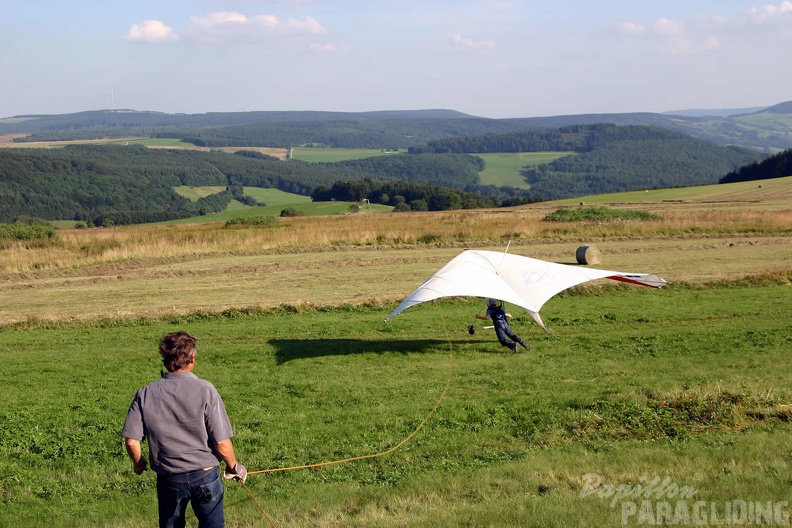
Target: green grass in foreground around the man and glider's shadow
(689, 385)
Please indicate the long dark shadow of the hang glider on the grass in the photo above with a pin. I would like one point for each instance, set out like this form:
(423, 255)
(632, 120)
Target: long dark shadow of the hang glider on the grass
(290, 349)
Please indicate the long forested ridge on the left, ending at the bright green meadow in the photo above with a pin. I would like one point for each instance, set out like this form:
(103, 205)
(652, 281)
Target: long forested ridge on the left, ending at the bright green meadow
(105, 185)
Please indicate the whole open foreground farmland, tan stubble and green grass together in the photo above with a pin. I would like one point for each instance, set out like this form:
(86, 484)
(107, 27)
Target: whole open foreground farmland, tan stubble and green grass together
(687, 385)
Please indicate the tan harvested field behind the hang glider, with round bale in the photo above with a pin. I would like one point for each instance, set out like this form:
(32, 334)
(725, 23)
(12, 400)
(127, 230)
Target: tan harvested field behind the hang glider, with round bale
(351, 259)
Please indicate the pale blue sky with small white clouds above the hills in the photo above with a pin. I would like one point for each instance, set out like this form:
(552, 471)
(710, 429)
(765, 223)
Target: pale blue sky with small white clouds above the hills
(491, 58)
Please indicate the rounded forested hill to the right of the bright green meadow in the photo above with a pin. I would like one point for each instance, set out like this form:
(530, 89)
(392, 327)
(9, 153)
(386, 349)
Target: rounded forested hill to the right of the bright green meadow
(609, 158)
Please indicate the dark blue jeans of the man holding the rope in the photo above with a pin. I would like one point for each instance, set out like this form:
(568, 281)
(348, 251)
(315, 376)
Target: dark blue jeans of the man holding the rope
(202, 488)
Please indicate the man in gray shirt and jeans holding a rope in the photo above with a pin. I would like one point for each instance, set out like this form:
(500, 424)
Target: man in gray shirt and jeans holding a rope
(188, 431)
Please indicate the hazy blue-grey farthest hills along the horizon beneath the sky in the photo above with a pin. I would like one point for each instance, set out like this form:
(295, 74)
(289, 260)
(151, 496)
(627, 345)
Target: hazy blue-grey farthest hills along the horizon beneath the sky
(768, 130)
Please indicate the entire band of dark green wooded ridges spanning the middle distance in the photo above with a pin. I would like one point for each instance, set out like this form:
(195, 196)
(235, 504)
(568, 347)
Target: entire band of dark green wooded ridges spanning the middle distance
(113, 184)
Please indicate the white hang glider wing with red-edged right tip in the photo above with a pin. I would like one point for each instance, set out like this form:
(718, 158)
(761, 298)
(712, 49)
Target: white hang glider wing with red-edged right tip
(522, 281)
